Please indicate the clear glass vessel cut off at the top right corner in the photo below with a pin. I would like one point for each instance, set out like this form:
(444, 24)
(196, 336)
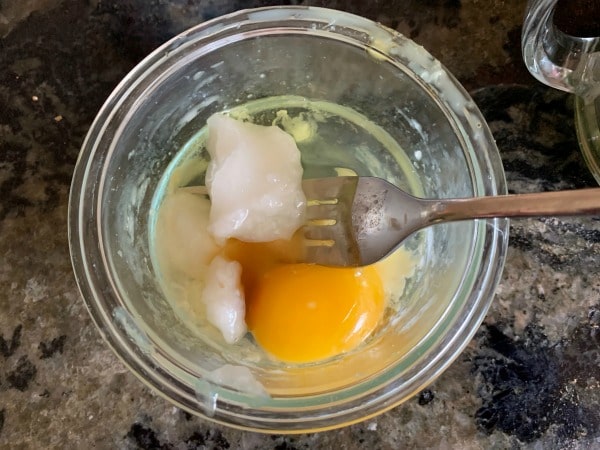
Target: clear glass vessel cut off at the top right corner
(561, 48)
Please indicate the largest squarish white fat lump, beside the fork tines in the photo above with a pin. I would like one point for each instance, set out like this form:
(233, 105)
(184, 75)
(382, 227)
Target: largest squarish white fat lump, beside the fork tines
(254, 180)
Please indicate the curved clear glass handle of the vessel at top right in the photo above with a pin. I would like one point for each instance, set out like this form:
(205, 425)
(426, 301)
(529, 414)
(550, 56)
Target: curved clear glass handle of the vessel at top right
(558, 59)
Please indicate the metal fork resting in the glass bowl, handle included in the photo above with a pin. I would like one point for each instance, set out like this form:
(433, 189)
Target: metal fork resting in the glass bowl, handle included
(356, 221)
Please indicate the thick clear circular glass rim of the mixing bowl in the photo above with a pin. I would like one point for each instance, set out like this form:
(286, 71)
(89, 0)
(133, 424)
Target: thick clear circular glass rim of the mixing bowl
(84, 216)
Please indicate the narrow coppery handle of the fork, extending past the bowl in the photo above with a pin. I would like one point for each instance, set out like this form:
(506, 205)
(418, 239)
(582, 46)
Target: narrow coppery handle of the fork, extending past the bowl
(559, 203)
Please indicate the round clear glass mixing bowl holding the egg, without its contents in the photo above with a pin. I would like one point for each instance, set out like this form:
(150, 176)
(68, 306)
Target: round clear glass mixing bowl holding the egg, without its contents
(400, 112)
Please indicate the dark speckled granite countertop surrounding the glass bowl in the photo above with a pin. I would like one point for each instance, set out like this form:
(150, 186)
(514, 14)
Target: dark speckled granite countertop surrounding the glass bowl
(529, 379)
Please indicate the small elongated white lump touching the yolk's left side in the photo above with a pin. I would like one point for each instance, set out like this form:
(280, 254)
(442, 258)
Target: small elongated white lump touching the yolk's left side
(223, 297)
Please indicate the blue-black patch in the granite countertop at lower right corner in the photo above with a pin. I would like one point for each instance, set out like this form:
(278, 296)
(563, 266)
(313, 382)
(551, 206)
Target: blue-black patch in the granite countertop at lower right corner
(525, 391)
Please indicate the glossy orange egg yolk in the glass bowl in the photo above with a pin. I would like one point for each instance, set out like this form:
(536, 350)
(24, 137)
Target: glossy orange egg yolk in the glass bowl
(302, 312)
